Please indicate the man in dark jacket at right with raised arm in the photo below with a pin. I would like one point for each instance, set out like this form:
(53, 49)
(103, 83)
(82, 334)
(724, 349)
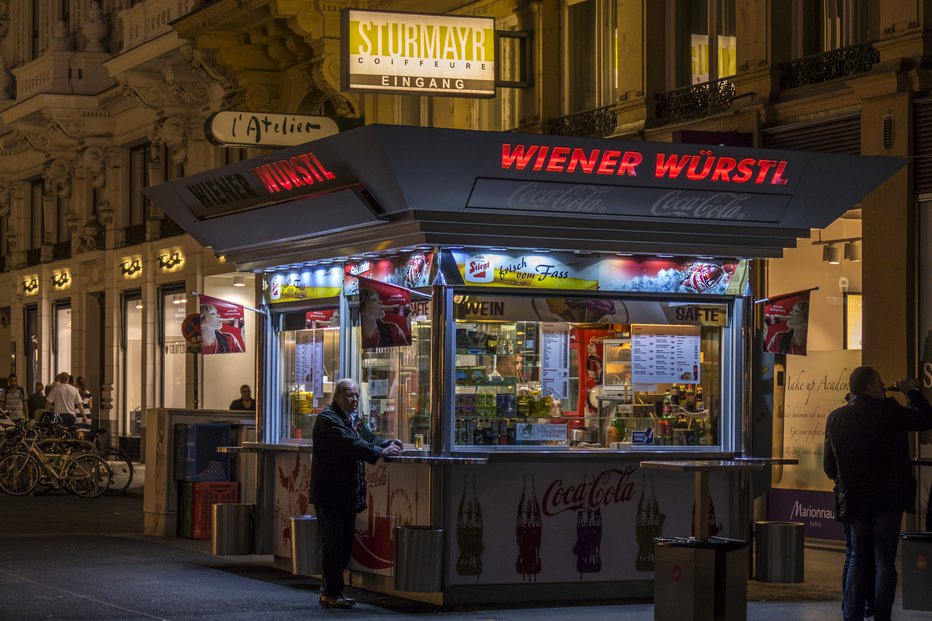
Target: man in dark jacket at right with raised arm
(867, 455)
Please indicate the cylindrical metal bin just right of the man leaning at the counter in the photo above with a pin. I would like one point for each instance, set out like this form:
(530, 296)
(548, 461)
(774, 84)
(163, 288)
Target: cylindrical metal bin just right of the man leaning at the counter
(418, 559)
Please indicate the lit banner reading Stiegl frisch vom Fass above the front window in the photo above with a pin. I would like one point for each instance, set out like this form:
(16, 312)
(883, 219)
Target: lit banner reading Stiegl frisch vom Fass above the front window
(575, 272)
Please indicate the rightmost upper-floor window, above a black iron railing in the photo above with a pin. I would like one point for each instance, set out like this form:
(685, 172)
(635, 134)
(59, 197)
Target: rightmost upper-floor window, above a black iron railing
(831, 24)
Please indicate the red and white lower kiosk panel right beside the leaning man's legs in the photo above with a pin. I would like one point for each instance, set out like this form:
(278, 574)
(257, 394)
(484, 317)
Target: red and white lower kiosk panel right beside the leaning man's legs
(397, 495)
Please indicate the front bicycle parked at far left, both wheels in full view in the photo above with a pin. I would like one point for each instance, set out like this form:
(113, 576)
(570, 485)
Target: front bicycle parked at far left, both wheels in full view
(84, 473)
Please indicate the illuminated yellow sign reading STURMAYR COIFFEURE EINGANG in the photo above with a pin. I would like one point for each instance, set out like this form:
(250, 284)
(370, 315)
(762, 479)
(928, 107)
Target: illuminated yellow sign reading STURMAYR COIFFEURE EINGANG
(418, 53)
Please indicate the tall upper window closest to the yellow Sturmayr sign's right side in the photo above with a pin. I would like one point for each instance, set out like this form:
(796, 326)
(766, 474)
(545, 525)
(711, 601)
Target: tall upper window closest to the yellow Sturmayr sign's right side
(591, 44)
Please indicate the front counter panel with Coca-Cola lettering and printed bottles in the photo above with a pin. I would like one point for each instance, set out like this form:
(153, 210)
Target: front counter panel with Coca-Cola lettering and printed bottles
(563, 522)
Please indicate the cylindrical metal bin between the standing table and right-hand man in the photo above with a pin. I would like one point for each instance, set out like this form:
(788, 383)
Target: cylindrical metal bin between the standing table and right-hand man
(779, 551)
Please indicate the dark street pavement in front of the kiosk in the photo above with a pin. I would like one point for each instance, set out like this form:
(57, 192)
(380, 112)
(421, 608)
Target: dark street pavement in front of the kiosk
(64, 557)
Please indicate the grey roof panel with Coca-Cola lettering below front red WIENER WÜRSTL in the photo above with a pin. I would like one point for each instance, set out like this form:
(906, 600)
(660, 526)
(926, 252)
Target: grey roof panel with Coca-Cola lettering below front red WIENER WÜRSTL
(605, 200)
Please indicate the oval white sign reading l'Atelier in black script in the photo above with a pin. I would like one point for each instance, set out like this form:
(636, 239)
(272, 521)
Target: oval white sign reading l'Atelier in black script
(234, 128)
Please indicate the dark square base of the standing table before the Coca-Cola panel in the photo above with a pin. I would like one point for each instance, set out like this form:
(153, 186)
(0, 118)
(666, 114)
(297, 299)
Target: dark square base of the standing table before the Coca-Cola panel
(700, 580)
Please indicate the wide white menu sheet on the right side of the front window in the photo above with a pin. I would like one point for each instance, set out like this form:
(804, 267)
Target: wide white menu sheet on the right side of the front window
(665, 354)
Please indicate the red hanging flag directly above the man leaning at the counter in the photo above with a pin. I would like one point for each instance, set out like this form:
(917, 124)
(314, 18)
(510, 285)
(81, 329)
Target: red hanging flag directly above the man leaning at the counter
(384, 312)
